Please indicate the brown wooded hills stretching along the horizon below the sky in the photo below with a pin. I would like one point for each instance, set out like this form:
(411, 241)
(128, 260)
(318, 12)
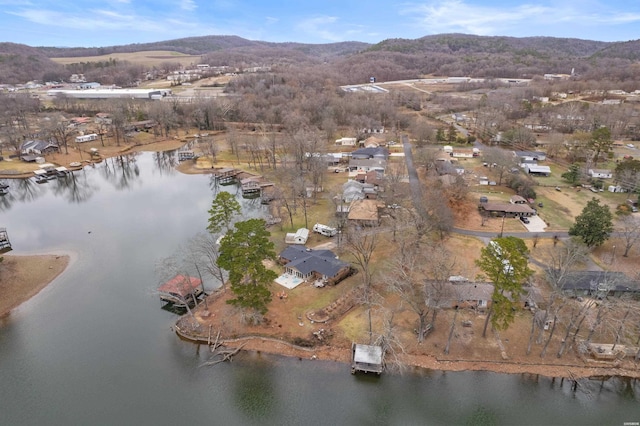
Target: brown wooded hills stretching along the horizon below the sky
(443, 54)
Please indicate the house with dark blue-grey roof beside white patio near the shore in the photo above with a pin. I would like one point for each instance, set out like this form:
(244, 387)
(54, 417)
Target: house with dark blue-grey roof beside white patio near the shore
(310, 264)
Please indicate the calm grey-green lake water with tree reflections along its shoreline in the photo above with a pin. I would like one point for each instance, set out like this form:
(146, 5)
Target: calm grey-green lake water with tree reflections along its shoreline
(95, 347)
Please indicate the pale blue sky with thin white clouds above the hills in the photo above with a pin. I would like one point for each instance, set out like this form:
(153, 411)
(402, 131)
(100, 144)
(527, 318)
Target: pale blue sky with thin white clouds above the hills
(90, 23)
